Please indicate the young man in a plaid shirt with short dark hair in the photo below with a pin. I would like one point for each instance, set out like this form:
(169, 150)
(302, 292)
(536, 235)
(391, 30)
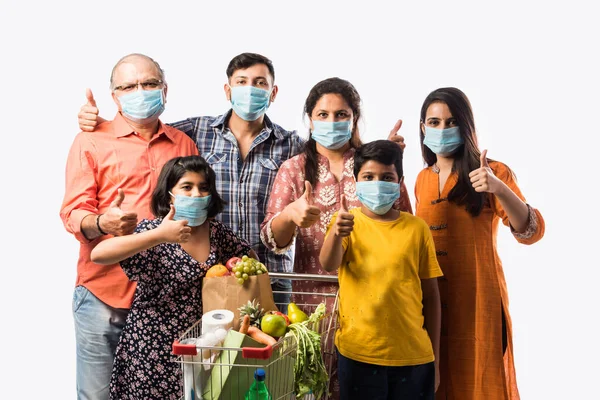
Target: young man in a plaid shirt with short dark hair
(245, 149)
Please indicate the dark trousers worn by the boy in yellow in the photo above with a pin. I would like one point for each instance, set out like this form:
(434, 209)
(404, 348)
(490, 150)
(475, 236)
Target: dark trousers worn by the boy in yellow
(359, 381)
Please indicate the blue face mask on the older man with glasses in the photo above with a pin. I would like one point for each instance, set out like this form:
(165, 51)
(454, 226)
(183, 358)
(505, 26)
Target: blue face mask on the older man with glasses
(143, 106)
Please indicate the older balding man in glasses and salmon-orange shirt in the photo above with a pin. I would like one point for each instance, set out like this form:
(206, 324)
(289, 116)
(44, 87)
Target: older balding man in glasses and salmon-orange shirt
(110, 176)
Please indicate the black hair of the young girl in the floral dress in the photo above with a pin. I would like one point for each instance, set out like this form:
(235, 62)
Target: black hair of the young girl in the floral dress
(172, 172)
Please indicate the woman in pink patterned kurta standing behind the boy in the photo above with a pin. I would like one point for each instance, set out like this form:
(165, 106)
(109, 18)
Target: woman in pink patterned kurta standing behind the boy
(310, 187)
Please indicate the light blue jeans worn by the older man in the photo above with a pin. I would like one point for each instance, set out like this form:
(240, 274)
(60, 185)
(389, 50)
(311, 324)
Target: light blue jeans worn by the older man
(97, 330)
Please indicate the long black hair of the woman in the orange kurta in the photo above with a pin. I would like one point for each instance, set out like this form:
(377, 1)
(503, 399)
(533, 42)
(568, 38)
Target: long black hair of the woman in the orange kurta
(466, 158)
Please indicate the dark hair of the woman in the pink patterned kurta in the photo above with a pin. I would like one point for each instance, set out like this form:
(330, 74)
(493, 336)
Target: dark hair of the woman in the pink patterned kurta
(351, 96)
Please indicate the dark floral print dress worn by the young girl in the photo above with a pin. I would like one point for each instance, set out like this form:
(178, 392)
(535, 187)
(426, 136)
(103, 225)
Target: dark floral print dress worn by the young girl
(167, 301)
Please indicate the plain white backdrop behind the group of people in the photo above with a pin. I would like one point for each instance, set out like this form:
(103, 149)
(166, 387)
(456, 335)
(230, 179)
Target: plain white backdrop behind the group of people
(529, 68)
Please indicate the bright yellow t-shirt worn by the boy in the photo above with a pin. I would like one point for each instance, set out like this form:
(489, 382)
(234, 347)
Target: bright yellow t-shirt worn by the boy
(380, 305)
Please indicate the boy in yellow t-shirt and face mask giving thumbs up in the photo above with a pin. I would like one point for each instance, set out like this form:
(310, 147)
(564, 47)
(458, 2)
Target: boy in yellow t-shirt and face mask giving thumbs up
(389, 307)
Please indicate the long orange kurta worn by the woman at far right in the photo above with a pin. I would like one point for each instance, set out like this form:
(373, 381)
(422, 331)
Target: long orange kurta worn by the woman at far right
(473, 289)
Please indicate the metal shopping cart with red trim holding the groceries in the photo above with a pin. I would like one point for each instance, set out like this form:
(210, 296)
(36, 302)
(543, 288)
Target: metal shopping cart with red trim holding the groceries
(226, 372)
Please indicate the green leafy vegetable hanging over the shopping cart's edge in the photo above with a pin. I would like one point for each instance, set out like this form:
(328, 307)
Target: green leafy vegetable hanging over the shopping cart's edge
(310, 373)
